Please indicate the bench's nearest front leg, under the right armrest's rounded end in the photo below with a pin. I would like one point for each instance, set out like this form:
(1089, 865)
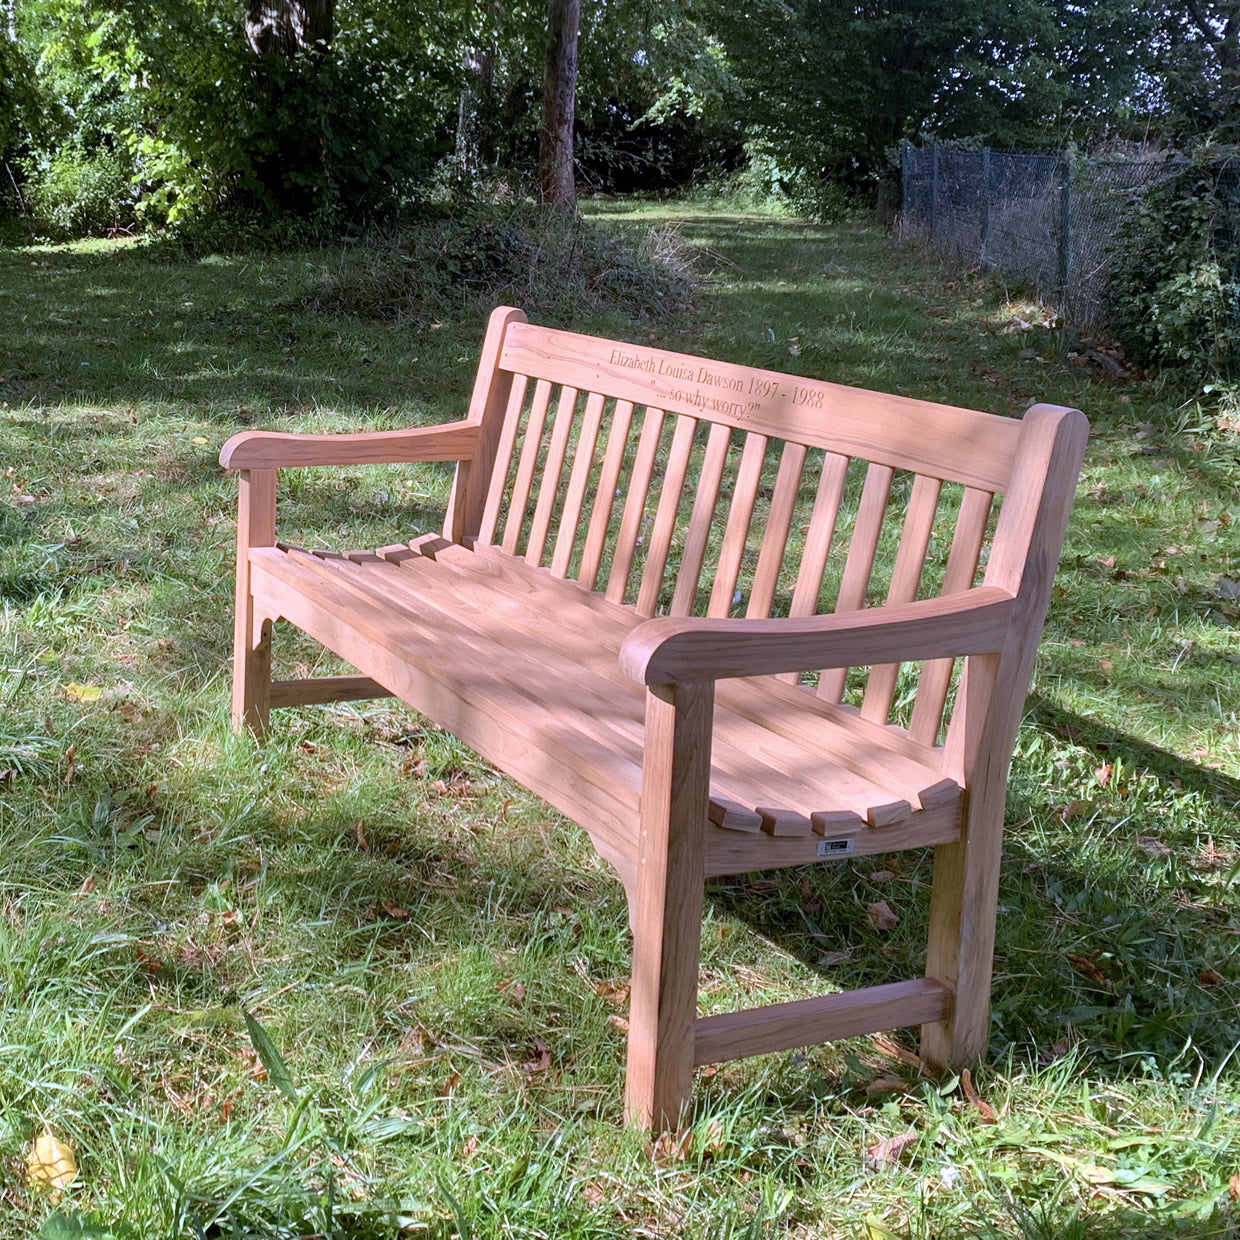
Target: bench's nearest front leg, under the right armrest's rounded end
(666, 905)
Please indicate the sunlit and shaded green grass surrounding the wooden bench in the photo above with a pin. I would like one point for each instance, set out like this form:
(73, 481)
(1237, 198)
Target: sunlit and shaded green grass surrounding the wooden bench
(433, 957)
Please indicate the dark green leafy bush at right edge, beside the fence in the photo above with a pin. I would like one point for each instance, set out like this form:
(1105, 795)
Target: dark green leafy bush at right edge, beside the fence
(1174, 297)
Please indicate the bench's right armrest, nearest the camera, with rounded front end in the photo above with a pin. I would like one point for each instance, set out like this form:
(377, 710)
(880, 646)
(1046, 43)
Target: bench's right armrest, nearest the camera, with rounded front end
(671, 650)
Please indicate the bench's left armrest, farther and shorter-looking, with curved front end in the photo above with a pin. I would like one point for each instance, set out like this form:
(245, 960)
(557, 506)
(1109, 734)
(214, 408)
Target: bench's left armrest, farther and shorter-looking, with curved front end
(275, 449)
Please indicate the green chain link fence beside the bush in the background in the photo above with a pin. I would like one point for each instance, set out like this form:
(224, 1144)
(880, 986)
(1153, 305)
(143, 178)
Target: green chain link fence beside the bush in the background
(1040, 219)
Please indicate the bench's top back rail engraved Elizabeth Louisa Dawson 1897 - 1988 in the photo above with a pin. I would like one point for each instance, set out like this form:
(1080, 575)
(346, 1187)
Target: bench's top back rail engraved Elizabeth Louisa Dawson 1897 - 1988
(962, 446)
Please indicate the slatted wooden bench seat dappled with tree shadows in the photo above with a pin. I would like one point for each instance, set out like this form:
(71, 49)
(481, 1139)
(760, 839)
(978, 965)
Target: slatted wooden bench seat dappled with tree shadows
(524, 668)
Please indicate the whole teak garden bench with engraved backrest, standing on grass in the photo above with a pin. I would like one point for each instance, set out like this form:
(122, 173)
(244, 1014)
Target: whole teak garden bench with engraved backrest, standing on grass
(658, 591)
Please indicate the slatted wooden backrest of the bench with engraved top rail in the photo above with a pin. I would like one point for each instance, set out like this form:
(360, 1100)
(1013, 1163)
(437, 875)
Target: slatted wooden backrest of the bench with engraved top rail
(686, 487)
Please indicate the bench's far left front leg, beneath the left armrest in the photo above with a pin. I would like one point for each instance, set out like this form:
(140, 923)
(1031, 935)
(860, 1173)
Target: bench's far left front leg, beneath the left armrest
(252, 635)
